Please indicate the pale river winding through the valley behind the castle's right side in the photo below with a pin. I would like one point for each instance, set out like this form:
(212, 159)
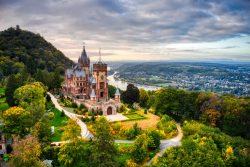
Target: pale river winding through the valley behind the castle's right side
(123, 85)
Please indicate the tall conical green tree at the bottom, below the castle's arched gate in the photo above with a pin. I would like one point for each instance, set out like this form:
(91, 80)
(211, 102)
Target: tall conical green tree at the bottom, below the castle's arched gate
(103, 150)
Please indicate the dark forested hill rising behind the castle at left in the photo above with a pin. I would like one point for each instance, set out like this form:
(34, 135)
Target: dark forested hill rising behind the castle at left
(17, 46)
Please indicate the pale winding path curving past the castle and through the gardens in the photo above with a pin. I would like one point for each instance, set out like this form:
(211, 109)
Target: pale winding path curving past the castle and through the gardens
(87, 134)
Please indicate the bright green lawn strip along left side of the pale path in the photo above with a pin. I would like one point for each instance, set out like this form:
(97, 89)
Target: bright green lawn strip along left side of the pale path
(58, 122)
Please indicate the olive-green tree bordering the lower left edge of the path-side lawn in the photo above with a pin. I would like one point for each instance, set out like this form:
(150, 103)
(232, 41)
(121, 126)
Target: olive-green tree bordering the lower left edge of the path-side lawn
(42, 131)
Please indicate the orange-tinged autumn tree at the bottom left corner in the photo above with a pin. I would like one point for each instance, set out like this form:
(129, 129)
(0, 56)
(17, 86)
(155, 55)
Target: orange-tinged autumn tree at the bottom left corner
(26, 152)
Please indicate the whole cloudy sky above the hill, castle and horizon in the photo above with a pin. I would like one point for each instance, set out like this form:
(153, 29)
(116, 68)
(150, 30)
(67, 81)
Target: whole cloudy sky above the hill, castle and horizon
(141, 30)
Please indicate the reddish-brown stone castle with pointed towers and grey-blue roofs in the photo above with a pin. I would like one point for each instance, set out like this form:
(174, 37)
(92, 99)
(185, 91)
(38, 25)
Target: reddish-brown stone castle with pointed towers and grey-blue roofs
(88, 84)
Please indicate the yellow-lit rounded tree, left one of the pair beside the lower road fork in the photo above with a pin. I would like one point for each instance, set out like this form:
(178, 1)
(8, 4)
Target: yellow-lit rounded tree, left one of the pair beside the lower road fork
(139, 150)
